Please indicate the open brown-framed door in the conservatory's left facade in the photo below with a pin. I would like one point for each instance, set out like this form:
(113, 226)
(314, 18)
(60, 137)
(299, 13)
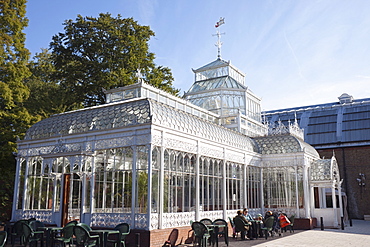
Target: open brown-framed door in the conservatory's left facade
(71, 202)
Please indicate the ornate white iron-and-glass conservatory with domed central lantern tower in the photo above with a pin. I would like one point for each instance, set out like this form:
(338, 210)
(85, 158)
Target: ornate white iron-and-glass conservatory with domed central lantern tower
(157, 161)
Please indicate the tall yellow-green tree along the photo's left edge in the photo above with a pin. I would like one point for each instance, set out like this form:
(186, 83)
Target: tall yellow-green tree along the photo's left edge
(14, 117)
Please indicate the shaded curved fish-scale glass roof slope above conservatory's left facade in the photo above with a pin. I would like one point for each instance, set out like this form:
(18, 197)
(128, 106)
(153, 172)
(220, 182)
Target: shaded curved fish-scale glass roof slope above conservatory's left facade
(102, 117)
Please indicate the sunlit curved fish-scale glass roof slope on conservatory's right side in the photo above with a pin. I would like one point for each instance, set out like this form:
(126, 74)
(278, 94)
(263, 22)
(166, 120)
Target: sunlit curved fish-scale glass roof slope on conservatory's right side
(172, 118)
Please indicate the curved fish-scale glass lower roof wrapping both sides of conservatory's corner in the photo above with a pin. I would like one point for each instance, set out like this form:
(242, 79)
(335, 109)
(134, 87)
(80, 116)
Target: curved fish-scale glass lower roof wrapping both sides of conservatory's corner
(136, 112)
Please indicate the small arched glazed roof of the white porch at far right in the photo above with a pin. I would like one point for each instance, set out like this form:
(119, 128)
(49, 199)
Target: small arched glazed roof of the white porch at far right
(325, 170)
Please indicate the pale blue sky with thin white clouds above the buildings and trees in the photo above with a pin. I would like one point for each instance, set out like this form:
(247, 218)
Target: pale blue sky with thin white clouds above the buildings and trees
(293, 52)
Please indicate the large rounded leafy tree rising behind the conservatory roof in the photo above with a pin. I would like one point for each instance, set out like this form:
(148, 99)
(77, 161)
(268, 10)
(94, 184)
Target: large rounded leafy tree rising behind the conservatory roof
(105, 52)
